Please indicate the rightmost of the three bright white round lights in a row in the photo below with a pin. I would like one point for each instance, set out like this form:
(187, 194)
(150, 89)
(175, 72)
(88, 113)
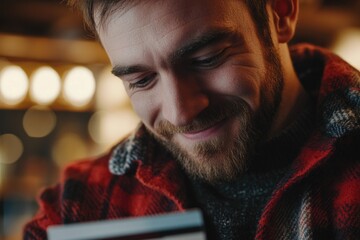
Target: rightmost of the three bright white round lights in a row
(79, 86)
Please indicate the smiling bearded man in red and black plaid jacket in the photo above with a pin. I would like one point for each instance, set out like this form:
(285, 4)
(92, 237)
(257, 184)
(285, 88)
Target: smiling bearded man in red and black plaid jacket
(264, 140)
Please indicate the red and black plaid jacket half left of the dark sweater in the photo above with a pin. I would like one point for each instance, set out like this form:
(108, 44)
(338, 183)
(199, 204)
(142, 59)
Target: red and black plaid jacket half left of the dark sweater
(89, 191)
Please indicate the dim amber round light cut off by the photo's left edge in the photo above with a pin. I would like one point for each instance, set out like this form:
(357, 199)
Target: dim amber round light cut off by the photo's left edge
(11, 148)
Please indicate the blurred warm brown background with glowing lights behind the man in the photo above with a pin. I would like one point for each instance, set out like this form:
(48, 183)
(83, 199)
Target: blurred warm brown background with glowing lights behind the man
(59, 102)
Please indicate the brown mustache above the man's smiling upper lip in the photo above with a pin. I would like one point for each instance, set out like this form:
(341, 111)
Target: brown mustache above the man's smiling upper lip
(215, 113)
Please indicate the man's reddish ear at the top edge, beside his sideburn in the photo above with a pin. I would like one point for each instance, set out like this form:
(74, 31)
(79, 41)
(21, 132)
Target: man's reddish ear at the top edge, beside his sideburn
(285, 18)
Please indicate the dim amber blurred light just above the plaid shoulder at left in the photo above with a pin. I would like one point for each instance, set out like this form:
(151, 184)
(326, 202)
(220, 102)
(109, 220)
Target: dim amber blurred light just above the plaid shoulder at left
(67, 148)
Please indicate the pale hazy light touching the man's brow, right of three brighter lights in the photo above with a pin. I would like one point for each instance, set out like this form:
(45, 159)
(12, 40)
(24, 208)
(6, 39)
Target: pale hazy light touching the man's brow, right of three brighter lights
(110, 92)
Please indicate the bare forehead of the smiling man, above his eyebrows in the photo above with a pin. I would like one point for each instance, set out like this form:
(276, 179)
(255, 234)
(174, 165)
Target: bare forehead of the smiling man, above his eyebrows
(160, 23)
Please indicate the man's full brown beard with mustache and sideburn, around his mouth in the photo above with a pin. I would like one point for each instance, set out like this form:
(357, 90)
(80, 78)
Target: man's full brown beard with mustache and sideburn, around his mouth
(221, 159)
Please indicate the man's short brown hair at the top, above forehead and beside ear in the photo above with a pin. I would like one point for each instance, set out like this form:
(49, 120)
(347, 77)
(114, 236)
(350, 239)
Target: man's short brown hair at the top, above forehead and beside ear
(257, 9)
